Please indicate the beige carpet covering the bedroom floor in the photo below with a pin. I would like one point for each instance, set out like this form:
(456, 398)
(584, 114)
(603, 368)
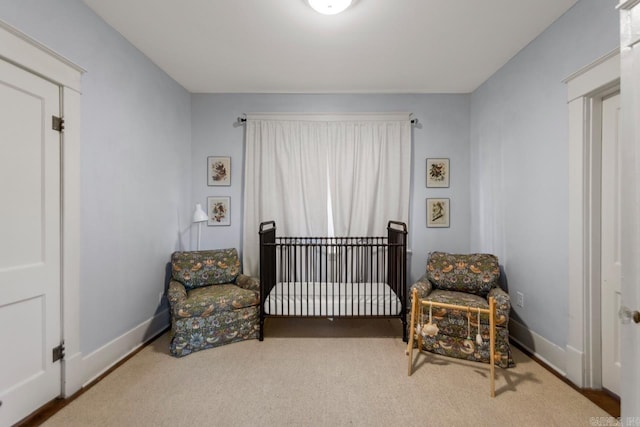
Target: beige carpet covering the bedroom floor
(316, 372)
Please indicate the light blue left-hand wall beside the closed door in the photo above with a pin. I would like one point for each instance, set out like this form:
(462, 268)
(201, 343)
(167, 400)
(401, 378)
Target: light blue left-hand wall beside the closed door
(135, 157)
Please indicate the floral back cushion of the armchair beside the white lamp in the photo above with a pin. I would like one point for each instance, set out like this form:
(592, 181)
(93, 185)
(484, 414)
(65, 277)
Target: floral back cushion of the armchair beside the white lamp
(203, 268)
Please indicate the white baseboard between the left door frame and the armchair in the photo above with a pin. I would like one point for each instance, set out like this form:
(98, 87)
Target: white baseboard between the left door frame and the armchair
(101, 360)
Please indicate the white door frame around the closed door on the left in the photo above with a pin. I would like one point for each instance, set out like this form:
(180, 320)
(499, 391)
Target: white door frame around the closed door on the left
(21, 50)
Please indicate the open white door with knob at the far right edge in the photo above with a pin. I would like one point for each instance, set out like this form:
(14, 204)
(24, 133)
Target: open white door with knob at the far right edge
(630, 203)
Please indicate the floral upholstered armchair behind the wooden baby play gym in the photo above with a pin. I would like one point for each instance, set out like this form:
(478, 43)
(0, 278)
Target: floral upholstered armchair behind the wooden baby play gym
(467, 280)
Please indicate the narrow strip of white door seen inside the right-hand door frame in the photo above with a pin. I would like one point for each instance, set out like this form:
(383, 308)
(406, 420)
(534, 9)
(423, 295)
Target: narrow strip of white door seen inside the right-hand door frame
(610, 241)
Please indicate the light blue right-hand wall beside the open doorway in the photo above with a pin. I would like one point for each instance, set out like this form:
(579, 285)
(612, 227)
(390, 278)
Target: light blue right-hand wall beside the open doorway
(519, 162)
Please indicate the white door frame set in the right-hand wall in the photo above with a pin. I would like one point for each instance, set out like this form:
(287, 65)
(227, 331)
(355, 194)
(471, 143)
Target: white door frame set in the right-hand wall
(586, 88)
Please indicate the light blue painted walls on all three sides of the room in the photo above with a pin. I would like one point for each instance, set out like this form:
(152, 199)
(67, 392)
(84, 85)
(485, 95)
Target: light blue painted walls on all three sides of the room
(142, 133)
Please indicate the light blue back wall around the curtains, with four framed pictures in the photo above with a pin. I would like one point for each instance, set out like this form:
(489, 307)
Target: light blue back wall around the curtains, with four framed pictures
(443, 132)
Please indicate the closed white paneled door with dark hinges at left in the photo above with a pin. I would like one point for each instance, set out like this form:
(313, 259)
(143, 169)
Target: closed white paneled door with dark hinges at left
(30, 283)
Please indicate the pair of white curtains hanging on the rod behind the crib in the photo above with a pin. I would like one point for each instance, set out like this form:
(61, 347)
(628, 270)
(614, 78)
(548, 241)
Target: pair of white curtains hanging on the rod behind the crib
(294, 163)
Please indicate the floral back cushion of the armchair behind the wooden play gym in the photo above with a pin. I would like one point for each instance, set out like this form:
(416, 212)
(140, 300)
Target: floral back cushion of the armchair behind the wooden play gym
(473, 273)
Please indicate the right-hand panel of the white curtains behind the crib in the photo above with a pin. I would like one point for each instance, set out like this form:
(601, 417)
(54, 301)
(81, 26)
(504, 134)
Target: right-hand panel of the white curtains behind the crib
(369, 175)
